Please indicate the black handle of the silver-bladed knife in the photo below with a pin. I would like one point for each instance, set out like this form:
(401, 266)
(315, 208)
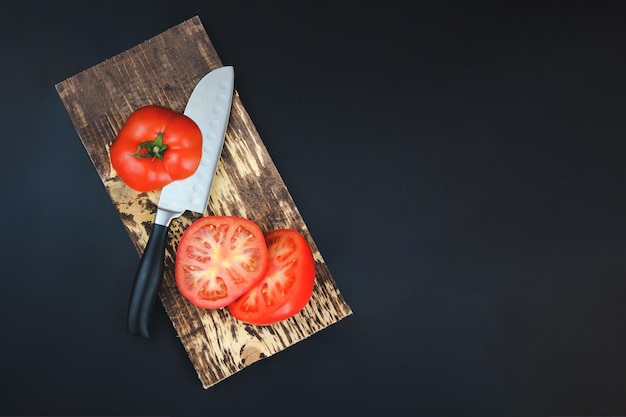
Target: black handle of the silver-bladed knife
(147, 282)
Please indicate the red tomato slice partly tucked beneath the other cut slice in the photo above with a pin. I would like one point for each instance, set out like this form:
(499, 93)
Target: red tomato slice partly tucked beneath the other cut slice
(288, 283)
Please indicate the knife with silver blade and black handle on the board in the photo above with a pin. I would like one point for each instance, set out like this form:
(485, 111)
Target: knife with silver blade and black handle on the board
(209, 106)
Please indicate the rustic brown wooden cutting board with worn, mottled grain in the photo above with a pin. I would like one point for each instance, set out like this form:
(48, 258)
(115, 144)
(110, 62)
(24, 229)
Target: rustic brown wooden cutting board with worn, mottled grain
(163, 71)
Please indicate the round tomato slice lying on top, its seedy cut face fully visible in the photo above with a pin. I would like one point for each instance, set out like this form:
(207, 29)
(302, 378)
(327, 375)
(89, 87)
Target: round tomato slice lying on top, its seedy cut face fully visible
(218, 259)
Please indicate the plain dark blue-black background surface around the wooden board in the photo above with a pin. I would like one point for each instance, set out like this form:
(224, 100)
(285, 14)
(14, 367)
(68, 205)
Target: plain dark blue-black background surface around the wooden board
(459, 164)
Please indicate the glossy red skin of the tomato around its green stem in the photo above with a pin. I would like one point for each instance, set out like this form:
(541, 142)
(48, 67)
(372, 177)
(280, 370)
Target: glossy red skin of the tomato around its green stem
(137, 167)
